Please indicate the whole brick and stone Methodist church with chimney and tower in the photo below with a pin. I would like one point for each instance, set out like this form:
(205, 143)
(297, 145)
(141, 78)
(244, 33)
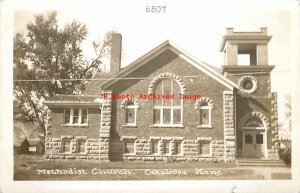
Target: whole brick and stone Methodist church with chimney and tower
(169, 106)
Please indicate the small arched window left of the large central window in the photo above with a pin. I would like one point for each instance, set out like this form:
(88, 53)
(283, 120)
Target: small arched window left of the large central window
(130, 107)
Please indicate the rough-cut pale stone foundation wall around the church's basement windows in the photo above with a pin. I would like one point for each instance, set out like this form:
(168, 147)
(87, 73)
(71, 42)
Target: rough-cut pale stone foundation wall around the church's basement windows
(95, 150)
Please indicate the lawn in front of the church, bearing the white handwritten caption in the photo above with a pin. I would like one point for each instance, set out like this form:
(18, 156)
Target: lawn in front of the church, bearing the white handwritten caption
(33, 167)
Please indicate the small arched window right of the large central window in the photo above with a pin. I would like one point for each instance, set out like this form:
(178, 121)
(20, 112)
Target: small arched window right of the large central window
(204, 105)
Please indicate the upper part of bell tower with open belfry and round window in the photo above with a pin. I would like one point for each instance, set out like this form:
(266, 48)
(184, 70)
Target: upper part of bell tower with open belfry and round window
(246, 60)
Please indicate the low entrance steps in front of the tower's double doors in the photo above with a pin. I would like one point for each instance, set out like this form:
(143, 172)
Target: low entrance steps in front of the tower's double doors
(259, 162)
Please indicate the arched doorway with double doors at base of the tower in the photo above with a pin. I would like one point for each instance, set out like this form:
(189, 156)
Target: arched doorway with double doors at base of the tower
(254, 131)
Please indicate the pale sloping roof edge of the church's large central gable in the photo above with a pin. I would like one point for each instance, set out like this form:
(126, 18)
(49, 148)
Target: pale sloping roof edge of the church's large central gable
(168, 45)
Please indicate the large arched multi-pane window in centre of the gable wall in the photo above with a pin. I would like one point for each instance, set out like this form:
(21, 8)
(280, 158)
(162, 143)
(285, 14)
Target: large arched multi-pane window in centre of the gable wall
(167, 109)
